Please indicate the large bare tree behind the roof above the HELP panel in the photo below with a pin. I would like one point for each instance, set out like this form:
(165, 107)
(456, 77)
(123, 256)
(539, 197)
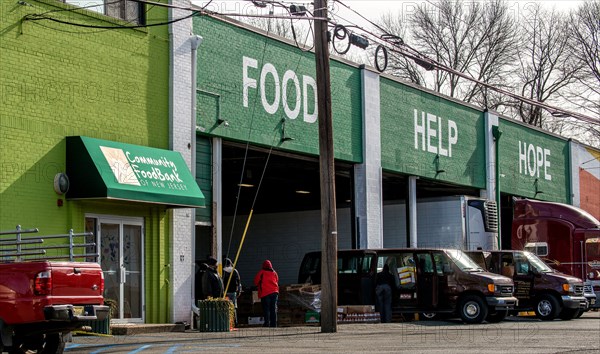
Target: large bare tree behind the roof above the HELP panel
(470, 37)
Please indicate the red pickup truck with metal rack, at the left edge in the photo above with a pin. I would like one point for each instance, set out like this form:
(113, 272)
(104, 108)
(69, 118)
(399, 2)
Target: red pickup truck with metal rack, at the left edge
(42, 300)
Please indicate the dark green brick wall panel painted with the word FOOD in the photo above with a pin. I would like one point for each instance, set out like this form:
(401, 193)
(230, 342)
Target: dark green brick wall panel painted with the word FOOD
(221, 92)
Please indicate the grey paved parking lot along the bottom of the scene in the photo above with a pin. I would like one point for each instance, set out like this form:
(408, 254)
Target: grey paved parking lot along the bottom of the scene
(514, 335)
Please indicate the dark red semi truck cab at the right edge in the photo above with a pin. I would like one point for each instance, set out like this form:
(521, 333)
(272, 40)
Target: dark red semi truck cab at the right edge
(565, 237)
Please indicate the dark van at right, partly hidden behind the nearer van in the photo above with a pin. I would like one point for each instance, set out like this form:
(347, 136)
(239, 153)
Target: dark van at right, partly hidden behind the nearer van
(537, 286)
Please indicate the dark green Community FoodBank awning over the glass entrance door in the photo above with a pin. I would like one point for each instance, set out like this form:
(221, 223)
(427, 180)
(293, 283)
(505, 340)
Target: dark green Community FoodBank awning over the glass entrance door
(102, 169)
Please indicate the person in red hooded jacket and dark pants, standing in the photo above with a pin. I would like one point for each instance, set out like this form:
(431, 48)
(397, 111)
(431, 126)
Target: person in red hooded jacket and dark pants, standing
(268, 291)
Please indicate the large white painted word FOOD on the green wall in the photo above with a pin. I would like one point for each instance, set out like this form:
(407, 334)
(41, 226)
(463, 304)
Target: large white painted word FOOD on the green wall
(290, 92)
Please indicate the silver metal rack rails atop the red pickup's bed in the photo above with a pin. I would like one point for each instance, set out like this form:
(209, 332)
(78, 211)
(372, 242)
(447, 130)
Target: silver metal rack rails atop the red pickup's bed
(25, 247)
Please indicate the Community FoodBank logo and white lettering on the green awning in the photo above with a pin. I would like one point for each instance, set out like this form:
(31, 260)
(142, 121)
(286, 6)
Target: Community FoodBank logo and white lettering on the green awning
(138, 170)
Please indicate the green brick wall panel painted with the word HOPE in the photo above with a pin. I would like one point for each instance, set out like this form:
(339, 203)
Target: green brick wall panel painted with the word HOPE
(531, 159)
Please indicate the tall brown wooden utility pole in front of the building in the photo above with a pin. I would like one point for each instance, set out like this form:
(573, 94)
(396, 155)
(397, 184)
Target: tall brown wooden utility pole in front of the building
(327, 172)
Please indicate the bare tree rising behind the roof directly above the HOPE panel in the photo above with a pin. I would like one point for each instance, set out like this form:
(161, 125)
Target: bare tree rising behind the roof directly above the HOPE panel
(546, 64)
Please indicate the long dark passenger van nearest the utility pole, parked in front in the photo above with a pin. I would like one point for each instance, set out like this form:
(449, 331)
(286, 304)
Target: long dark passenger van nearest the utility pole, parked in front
(428, 281)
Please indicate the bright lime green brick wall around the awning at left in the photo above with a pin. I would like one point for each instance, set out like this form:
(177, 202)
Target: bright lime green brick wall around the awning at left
(58, 80)
